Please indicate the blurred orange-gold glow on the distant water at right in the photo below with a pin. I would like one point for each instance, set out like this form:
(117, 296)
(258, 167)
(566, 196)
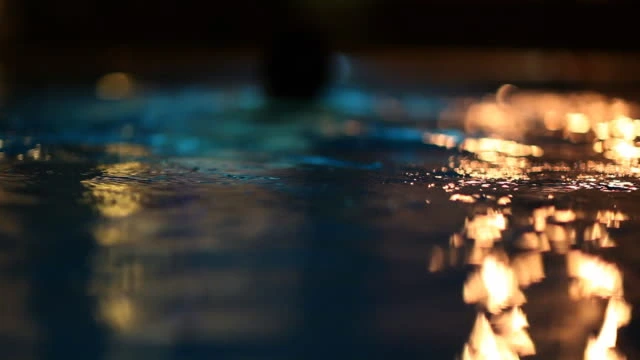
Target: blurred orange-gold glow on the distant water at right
(608, 123)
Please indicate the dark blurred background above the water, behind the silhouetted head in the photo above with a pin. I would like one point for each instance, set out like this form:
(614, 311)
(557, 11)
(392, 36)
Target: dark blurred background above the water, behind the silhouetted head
(588, 42)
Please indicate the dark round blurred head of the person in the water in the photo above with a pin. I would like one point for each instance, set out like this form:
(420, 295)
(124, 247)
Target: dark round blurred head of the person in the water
(296, 64)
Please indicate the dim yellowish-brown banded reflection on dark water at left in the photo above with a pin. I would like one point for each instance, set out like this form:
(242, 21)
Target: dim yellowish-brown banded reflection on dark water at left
(191, 263)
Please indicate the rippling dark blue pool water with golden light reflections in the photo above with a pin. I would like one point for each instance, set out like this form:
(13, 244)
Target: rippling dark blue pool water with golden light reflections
(360, 239)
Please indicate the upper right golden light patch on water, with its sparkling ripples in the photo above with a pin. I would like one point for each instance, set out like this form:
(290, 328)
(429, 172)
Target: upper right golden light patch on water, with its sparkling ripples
(597, 134)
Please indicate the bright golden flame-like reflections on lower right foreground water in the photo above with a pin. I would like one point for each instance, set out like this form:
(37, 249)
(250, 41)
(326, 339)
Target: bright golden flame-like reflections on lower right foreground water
(497, 282)
